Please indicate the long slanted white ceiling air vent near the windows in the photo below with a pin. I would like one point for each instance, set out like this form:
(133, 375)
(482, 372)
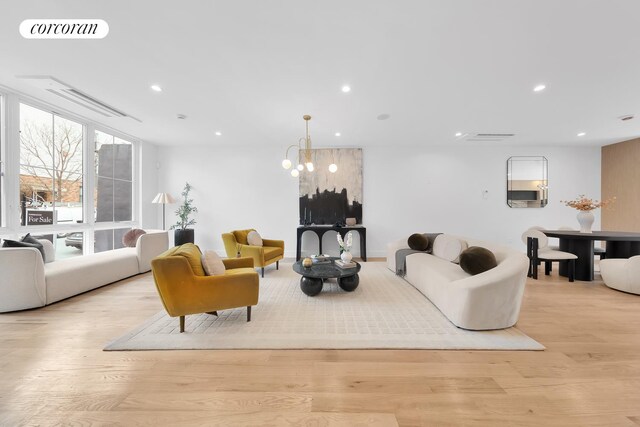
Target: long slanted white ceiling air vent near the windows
(76, 96)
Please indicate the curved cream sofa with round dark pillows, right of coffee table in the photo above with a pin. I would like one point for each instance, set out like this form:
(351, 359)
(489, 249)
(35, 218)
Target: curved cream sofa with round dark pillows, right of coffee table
(489, 300)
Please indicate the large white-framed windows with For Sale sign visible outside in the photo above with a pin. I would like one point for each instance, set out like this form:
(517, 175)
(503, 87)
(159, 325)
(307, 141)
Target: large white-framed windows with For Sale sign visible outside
(68, 182)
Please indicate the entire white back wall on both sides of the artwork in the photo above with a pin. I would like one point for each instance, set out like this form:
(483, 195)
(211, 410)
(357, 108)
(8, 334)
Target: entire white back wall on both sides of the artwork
(406, 190)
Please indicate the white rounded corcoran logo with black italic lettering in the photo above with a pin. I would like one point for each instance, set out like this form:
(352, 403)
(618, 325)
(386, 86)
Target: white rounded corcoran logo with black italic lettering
(64, 29)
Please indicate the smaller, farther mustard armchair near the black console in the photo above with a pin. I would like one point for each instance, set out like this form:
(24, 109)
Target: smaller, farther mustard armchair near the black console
(271, 250)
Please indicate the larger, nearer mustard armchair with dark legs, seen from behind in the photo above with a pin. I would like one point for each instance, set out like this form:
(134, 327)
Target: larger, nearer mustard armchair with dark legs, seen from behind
(185, 289)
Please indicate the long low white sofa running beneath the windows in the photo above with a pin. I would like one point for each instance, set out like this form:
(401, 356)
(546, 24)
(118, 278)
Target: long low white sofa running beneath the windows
(27, 282)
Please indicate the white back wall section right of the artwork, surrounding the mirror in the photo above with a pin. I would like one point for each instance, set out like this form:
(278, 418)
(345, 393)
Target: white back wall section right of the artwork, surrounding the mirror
(440, 189)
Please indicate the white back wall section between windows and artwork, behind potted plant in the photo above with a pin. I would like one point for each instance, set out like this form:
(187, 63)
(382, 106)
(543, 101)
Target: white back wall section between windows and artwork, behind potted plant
(233, 188)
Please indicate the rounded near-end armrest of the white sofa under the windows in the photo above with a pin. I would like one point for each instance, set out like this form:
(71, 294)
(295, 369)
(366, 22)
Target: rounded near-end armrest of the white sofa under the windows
(22, 283)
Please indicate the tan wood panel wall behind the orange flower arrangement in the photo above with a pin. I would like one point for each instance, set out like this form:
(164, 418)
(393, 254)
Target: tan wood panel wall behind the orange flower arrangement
(621, 178)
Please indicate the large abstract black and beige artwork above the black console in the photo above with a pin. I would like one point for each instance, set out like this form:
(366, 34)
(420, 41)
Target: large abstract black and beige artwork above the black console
(328, 198)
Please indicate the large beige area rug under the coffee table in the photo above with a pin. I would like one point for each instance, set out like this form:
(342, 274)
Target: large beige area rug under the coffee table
(384, 312)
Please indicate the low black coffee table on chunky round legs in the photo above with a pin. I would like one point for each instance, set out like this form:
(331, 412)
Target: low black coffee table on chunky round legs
(313, 277)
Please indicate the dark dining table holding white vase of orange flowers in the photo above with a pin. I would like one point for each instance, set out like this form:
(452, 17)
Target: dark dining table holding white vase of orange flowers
(620, 244)
